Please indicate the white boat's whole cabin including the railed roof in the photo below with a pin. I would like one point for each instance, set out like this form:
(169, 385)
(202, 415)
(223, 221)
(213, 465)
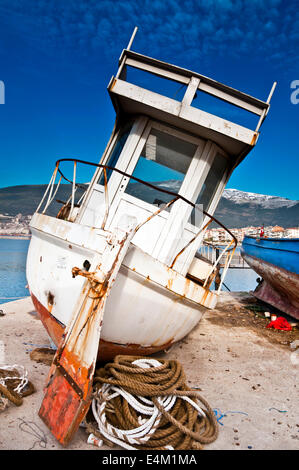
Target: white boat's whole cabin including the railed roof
(173, 146)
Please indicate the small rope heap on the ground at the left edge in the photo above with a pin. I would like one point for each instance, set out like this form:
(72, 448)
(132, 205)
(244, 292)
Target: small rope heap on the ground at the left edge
(14, 385)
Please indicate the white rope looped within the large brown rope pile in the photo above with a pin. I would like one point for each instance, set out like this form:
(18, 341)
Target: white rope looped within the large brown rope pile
(142, 405)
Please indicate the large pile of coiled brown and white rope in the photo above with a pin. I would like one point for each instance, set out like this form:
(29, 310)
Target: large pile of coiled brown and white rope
(143, 403)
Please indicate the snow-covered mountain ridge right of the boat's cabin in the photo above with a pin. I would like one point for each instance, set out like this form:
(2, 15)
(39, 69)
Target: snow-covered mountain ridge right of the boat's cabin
(267, 202)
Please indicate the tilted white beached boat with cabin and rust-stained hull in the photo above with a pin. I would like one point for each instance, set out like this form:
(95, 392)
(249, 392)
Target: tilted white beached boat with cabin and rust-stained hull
(164, 161)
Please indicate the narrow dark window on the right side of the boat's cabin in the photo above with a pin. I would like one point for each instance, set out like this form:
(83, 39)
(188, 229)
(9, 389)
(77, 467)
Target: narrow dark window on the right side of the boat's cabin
(211, 183)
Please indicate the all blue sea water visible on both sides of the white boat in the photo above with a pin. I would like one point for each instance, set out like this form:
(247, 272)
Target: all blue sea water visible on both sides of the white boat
(13, 253)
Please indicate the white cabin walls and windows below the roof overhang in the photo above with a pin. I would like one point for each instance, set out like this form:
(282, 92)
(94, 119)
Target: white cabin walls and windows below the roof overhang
(168, 159)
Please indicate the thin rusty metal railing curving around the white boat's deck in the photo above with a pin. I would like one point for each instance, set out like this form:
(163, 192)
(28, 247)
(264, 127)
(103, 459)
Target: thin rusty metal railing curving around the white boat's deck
(70, 204)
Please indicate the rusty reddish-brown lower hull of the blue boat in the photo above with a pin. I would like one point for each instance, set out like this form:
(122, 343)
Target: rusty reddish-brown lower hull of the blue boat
(279, 287)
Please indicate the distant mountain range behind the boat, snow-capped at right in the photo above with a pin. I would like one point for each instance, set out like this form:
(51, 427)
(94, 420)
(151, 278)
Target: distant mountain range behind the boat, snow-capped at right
(236, 208)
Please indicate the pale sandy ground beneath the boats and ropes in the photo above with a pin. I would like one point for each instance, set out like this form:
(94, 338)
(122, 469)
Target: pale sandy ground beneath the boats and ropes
(247, 373)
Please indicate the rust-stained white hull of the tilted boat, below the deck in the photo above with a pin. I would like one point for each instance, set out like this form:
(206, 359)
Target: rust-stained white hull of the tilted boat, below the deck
(150, 306)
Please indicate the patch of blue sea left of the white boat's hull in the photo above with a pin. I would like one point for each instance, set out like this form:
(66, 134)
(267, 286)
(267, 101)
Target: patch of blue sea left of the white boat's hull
(13, 253)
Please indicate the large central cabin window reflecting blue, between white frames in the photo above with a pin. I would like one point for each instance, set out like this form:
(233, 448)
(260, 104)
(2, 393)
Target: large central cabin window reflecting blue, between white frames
(164, 162)
